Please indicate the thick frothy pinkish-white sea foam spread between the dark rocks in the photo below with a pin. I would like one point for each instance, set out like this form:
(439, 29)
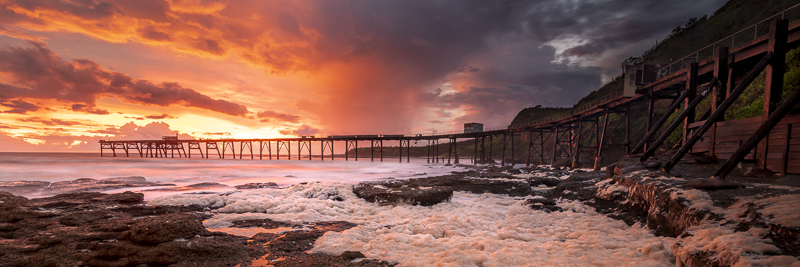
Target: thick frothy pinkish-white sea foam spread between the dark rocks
(470, 230)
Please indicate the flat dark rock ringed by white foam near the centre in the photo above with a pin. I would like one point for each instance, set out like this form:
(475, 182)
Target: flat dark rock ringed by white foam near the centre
(425, 196)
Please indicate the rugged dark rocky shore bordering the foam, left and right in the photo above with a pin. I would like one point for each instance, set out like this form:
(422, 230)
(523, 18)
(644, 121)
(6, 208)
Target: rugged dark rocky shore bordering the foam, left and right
(752, 220)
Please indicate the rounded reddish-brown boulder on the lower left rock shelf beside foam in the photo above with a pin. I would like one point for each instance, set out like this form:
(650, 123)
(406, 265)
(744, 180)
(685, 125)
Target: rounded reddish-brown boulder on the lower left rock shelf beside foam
(164, 228)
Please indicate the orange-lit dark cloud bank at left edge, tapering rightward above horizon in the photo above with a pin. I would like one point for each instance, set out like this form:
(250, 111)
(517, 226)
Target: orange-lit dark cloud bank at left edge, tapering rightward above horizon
(46, 76)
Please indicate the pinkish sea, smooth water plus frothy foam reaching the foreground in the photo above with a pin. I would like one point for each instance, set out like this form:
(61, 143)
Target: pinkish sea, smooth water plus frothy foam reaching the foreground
(469, 230)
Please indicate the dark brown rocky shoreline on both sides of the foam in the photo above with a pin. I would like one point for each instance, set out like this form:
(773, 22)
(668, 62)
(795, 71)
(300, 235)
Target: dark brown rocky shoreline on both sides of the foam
(624, 192)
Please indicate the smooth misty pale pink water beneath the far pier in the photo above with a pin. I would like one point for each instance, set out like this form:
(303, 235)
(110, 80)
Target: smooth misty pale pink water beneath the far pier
(53, 167)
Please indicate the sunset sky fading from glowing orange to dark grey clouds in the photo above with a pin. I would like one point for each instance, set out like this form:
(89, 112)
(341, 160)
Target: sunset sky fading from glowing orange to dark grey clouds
(73, 72)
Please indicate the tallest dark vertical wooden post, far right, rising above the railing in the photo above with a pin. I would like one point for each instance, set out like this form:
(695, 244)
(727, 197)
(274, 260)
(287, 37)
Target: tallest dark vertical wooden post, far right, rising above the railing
(773, 84)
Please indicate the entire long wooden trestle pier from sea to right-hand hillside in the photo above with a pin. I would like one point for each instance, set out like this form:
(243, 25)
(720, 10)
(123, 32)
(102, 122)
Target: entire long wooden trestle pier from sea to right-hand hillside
(722, 77)
